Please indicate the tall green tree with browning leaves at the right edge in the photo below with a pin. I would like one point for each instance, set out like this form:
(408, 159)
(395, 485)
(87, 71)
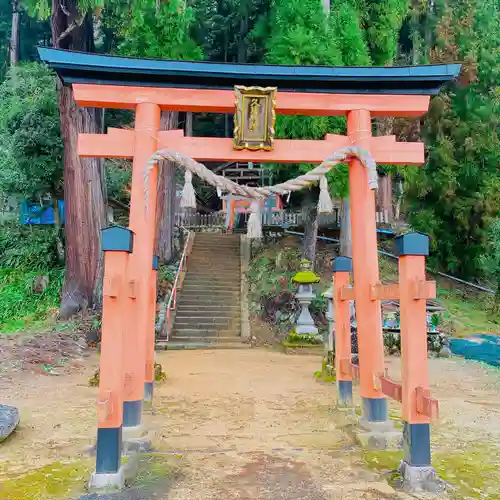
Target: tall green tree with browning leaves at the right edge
(456, 197)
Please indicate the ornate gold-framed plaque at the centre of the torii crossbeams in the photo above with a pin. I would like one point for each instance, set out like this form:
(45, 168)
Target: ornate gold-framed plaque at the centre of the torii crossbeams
(254, 118)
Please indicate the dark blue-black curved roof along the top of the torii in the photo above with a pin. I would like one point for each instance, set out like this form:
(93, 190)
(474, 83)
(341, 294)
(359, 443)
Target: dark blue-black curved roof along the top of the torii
(78, 67)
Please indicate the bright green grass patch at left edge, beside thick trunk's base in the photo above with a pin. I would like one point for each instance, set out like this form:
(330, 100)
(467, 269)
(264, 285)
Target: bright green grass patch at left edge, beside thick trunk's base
(20, 306)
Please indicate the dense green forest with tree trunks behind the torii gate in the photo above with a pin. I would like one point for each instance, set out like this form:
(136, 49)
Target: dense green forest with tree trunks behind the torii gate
(455, 197)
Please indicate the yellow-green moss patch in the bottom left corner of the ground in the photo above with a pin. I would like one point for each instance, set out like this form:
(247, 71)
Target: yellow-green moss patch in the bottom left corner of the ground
(51, 482)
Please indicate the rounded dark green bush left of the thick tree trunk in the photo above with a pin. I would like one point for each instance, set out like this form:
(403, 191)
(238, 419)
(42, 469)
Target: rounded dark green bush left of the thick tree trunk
(31, 159)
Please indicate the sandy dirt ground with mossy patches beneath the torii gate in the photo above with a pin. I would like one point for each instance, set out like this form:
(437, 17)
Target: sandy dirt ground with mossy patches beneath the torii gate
(248, 424)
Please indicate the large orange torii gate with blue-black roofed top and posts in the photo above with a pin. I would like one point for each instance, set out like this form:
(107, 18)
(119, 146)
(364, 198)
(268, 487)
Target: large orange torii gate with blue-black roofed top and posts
(149, 87)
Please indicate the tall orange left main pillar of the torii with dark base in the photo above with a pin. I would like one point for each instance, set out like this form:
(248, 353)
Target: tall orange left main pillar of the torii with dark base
(139, 348)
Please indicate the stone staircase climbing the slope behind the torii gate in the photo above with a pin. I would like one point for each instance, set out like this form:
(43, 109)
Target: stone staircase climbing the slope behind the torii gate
(208, 307)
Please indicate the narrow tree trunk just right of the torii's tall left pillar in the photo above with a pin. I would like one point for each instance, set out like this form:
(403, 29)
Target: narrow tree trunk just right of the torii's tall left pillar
(166, 201)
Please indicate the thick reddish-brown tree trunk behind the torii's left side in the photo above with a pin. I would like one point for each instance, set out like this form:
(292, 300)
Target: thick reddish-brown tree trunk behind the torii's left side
(84, 179)
